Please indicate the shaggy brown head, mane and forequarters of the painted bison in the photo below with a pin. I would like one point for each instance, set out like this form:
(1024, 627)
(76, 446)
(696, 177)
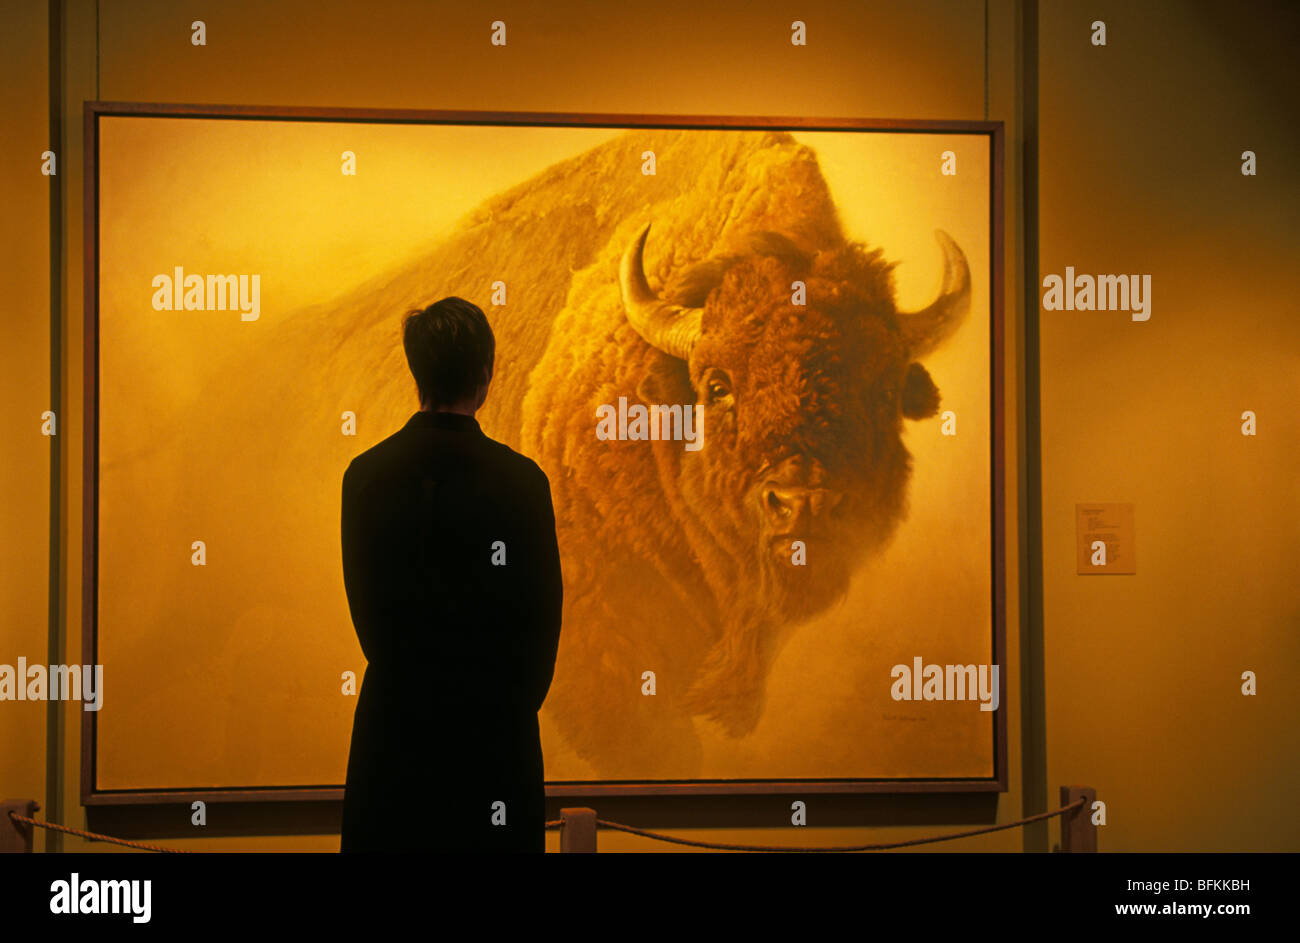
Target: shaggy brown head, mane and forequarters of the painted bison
(684, 564)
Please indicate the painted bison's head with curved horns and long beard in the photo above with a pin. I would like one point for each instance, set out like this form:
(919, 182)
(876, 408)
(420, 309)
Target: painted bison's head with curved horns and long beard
(803, 426)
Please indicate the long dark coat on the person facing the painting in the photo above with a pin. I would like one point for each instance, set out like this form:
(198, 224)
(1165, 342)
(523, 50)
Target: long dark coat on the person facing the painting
(461, 650)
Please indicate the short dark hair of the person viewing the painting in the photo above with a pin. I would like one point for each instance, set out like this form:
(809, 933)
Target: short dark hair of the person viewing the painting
(450, 348)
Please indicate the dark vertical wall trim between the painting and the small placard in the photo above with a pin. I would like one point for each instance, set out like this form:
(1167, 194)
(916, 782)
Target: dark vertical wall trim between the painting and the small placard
(1033, 682)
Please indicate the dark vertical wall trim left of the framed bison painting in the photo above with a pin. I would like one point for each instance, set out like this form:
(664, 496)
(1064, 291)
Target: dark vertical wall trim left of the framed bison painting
(55, 647)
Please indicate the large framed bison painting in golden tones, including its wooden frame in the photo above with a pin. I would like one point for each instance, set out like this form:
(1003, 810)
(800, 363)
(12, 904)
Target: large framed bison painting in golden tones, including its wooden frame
(759, 360)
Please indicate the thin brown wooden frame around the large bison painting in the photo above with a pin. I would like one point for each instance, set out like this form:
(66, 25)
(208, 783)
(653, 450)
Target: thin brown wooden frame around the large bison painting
(993, 133)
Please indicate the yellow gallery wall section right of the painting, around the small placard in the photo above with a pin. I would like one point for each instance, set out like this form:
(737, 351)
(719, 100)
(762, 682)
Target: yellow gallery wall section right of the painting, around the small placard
(1141, 149)
